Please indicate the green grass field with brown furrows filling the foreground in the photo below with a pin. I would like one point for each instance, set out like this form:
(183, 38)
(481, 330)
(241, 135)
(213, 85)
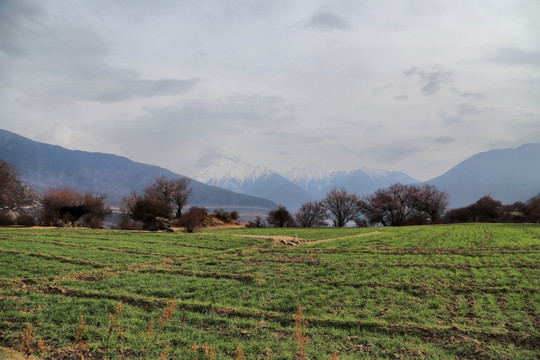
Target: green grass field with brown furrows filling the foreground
(427, 292)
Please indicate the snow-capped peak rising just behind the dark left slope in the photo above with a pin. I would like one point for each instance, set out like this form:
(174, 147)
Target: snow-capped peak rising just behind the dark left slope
(234, 174)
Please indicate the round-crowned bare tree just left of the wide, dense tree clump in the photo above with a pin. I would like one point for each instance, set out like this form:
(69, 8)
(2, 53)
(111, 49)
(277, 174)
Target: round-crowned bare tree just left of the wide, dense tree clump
(342, 206)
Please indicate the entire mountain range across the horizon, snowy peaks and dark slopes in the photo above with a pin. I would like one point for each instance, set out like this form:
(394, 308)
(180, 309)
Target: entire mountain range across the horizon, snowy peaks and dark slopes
(507, 175)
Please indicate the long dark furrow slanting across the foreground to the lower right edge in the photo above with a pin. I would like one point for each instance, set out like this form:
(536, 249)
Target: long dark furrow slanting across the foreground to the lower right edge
(431, 333)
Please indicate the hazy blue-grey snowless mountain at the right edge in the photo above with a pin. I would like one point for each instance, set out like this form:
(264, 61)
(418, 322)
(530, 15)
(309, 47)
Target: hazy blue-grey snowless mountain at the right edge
(508, 175)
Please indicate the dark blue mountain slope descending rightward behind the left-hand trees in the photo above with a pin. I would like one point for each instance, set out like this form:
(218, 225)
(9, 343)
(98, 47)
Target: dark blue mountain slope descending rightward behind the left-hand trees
(44, 166)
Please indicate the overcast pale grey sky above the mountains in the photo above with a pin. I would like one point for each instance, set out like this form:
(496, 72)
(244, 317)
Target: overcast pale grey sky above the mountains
(412, 86)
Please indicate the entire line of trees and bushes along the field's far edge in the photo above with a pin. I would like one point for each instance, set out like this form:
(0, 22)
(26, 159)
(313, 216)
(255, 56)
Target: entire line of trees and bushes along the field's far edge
(163, 201)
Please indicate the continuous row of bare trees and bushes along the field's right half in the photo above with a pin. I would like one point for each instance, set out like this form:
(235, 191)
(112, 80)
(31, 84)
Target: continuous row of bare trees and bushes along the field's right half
(398, 205)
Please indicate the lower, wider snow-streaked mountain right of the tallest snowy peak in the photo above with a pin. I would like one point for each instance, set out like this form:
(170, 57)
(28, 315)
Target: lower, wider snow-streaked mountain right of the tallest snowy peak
(363, 181)
